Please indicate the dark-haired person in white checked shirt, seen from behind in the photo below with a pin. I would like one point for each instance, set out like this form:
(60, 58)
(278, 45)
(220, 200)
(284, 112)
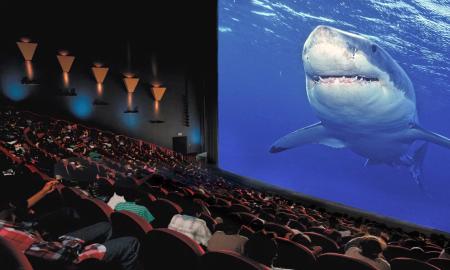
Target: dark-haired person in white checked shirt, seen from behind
(191, 226)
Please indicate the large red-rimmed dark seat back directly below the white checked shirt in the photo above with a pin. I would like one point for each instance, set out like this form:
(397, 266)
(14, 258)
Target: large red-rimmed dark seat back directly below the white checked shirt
(171, 250)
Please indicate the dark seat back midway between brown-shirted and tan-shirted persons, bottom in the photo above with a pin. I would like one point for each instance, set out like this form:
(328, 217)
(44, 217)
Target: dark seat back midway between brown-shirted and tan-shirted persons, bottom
(292, 255)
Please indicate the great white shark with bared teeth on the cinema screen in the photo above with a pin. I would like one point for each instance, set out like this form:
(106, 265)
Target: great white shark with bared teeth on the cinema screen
(365, 102)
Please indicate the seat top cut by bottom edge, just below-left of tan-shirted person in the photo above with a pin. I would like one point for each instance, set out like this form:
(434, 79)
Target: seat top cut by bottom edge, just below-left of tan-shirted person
(337, 261)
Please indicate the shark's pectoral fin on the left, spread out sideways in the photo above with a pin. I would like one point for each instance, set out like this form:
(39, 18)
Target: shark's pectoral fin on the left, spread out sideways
(315, 133)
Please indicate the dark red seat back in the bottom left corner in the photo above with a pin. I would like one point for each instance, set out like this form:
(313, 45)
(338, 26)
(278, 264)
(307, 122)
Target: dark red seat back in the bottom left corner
(11, 258)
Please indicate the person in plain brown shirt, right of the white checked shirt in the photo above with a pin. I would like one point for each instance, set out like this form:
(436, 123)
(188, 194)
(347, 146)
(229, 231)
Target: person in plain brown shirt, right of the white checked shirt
(226, 237)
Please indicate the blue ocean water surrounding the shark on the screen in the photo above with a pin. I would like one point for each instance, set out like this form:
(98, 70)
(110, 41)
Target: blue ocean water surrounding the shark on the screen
(262, 98)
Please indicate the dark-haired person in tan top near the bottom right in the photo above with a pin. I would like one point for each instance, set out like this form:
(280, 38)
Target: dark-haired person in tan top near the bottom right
(369, 250)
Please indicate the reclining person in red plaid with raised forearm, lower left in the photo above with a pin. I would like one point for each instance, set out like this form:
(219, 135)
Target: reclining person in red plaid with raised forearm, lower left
(72, 248)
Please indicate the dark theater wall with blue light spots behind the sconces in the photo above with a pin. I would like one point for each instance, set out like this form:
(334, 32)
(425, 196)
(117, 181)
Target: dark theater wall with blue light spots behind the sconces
(126, 38)
